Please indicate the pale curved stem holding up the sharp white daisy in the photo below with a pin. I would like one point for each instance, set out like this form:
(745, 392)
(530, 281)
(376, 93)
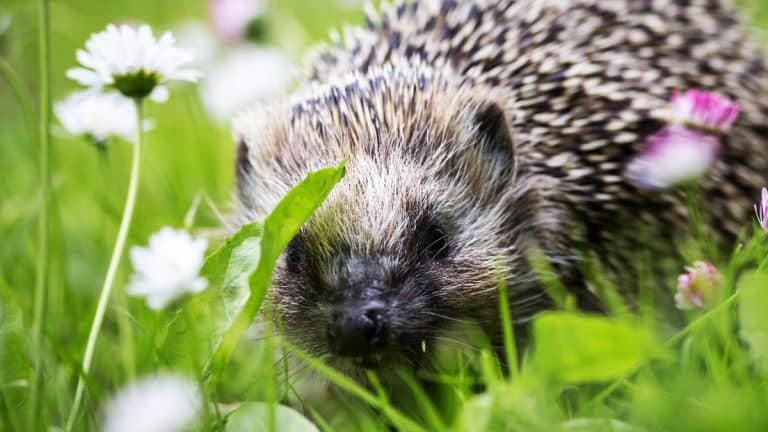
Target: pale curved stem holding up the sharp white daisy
(117, 252)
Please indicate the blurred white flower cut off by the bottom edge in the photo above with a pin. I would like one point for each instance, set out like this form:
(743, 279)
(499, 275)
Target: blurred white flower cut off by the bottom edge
(161, 403)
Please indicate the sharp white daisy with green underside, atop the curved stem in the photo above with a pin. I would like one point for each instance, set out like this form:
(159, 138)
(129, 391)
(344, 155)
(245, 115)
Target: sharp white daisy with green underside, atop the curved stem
(133, 62)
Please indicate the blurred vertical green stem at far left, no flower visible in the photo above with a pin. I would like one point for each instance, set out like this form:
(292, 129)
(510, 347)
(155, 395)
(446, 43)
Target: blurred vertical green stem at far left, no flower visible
(43, 233)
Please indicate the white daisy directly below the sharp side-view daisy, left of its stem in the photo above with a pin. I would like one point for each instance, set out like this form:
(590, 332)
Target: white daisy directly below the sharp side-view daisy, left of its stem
(98, 116)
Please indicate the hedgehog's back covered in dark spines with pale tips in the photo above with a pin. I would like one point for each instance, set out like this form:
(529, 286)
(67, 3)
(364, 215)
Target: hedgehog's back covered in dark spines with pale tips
(587, 82)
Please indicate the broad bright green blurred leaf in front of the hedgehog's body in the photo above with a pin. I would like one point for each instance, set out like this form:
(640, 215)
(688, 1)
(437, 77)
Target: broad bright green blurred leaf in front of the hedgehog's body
(573, 348)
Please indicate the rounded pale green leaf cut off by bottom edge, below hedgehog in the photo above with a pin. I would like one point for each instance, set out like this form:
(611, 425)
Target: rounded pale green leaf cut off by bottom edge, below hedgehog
(254, 417)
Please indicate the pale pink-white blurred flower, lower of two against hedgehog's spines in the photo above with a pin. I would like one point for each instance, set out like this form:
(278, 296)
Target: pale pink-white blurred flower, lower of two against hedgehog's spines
(674, 155)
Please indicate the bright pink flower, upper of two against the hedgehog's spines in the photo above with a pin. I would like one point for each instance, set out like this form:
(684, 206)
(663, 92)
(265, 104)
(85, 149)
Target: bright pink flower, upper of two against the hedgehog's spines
(704, 110)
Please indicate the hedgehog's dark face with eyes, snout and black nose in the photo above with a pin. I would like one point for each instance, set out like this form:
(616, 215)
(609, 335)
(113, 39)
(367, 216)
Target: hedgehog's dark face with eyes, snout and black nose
(367, 278)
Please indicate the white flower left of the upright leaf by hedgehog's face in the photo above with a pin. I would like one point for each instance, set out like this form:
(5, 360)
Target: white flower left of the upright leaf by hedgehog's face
(168, 268)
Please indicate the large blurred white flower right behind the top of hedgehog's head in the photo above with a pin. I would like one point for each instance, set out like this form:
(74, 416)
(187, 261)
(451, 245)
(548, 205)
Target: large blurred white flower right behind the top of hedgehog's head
(246, 75)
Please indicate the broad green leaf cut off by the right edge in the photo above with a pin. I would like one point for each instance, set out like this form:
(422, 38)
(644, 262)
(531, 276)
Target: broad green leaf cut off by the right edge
(752, 316)
